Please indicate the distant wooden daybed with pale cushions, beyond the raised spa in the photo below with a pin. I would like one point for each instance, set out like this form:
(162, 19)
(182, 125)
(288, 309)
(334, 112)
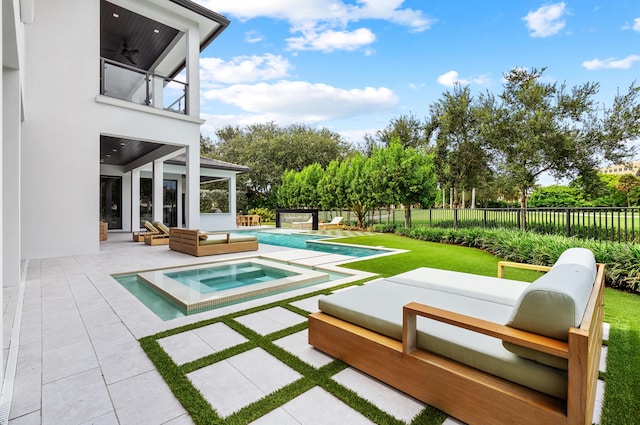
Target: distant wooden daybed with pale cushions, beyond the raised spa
(194, 242)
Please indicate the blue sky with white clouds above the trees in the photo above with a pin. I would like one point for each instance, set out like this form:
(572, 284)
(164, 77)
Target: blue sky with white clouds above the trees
(352, 66)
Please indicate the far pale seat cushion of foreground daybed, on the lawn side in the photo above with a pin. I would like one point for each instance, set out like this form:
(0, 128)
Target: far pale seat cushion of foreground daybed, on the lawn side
(502, 291)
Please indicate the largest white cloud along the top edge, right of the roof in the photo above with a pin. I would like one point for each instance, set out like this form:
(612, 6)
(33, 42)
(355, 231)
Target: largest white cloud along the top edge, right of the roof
(323, 24)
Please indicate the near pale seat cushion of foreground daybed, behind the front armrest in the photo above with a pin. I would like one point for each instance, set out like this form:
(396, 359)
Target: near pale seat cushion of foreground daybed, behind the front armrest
(378, 306)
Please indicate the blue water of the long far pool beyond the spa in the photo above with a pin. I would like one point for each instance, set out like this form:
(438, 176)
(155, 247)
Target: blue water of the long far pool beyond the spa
(304, 241)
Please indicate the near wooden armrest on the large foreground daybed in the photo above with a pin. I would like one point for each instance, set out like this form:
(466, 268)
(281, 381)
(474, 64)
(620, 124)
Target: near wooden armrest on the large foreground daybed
(526, 339)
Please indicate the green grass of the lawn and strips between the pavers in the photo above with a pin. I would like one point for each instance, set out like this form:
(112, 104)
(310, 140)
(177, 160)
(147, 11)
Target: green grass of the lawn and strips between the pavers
(622, 312)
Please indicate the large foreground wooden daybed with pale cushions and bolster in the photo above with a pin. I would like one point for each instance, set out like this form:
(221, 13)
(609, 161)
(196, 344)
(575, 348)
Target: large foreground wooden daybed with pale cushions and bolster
(486, 350)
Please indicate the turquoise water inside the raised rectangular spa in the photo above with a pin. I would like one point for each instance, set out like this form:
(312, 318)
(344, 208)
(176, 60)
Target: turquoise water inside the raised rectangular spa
(228, 276)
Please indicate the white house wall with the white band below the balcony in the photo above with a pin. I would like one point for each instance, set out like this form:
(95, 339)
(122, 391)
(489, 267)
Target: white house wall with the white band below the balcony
(65, 117)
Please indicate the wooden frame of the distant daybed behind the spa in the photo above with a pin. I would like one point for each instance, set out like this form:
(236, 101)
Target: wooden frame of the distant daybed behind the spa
(188, 242)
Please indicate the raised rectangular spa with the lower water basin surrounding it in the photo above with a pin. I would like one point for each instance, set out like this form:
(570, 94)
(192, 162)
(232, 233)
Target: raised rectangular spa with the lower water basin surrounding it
(180, 291)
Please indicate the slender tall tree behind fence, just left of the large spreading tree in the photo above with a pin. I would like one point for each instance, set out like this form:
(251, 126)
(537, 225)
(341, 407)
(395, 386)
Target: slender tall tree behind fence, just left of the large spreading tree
(461, 160)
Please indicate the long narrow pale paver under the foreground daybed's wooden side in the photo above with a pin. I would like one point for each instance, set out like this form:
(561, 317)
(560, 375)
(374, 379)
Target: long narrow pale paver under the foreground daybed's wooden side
(392, 401)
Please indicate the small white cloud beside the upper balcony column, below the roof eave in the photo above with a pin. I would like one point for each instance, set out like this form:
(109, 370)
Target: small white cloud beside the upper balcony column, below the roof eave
(242, 69)
